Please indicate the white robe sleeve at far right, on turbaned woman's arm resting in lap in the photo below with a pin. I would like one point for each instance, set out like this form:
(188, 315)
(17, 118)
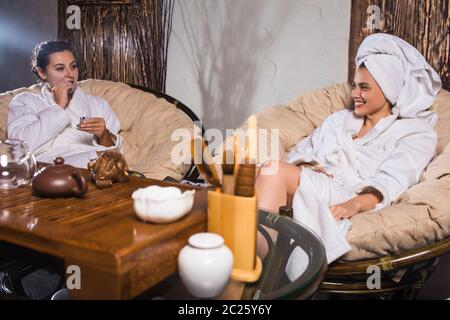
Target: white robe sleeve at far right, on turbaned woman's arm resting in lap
(403, 167)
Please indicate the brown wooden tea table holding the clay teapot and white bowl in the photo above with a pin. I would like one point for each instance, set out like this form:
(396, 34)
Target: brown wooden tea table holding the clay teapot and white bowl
(119, 256)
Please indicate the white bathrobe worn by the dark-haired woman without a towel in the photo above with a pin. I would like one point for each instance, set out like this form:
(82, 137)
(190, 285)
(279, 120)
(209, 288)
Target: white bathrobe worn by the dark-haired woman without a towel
(51, 131)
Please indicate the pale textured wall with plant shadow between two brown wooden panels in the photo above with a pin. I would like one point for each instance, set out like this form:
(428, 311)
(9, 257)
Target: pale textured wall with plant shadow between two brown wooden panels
(231, 58)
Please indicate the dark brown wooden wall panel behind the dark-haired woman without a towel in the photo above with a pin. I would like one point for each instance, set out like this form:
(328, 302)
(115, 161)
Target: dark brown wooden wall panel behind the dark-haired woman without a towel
(122, 41)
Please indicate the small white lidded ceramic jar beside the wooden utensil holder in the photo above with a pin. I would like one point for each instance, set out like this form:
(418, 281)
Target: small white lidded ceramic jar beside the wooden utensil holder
(205, 265)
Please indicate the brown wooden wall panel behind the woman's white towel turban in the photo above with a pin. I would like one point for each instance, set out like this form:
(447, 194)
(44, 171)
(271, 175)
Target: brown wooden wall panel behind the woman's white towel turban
(423, 23)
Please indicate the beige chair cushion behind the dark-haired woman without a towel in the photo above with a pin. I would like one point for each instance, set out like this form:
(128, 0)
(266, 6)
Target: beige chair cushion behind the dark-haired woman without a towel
(147, 123)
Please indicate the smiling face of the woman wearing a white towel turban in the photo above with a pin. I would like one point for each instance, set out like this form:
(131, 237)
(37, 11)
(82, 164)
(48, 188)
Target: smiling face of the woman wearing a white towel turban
(367, 95)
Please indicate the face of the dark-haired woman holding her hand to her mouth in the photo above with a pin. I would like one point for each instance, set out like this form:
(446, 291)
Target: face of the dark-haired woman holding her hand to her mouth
(62, 66)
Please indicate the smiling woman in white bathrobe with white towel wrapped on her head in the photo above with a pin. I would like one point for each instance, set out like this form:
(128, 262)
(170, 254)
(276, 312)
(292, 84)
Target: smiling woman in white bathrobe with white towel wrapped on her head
(361, 159)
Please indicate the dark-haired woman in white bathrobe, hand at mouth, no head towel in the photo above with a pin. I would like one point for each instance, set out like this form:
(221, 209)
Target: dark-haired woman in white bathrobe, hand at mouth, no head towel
(61, 120)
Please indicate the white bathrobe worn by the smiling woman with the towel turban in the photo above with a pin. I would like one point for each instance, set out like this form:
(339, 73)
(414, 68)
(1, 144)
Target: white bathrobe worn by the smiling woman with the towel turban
(389, 158)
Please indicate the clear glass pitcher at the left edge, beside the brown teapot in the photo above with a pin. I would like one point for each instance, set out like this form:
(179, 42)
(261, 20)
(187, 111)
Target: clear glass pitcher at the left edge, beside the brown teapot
(17, 164)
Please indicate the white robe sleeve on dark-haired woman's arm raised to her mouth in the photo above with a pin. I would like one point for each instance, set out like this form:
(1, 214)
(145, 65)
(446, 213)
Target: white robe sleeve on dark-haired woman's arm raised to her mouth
(27, 123)
